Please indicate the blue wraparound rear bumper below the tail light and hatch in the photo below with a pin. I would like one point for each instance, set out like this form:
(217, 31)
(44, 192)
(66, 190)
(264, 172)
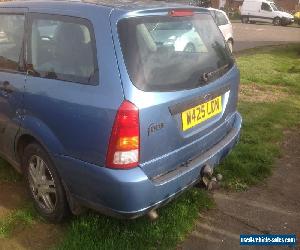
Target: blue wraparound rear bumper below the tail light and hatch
(130, 193)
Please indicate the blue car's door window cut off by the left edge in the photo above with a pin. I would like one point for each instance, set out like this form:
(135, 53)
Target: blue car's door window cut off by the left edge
(11, 39)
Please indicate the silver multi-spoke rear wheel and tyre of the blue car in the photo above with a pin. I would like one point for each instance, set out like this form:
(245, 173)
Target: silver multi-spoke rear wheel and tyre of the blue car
(44, 184)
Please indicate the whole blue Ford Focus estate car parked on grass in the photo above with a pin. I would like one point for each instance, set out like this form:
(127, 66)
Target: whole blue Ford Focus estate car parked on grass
(113, 106)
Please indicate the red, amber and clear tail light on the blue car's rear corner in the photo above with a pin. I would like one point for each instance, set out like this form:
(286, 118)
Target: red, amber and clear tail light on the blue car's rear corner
(124, 143)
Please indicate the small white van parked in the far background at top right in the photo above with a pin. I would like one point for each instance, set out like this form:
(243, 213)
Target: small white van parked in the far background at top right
(264, 11)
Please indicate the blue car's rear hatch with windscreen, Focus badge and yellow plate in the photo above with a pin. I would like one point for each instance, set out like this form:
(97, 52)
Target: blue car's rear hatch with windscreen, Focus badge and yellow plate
(175, 67)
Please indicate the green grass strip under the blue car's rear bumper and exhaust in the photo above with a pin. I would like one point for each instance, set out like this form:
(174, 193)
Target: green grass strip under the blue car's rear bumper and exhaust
(176, 220)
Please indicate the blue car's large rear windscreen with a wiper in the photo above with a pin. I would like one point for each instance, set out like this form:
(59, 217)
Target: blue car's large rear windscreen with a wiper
(165, 53)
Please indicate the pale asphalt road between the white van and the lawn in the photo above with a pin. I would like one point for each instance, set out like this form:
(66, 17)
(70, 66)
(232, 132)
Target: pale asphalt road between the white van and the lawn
(249, 36)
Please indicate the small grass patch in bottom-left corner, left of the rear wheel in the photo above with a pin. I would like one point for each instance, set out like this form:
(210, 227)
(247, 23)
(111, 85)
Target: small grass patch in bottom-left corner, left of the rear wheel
(17, 218)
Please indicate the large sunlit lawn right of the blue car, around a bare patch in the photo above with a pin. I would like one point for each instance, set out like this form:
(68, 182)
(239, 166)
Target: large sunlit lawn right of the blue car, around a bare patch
(253, 158)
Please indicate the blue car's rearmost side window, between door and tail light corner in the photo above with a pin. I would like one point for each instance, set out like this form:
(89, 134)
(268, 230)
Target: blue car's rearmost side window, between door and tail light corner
(62, 48)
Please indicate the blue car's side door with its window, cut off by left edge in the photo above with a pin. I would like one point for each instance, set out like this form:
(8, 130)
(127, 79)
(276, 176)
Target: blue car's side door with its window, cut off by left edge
(12, 76)
